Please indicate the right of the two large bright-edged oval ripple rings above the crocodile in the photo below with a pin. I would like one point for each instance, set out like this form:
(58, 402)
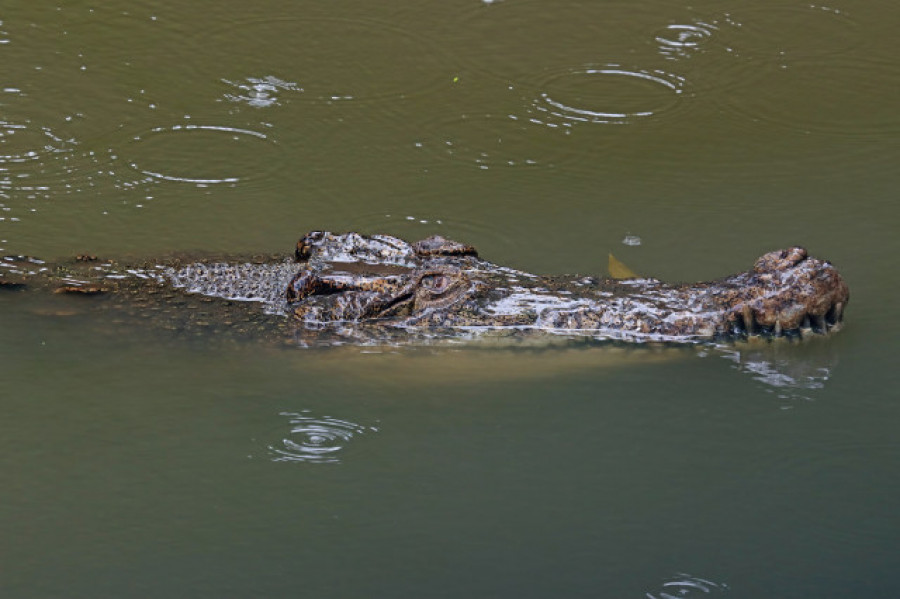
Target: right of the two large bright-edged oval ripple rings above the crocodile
(604, 94)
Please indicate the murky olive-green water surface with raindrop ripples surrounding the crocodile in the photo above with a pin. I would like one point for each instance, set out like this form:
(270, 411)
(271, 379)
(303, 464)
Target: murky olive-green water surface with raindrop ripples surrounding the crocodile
(686, 138)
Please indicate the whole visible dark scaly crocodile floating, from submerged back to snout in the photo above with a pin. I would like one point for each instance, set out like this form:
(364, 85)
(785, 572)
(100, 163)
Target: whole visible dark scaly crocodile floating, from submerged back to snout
(359, 288)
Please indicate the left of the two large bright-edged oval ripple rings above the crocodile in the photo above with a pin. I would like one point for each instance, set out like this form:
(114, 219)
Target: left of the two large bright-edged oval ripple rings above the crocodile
(203, 154)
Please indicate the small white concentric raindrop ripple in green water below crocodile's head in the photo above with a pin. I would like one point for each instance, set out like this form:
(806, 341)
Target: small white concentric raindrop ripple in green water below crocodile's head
(315, 440)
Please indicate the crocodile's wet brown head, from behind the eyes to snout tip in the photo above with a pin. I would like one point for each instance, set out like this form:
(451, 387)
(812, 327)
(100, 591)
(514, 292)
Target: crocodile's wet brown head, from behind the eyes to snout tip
(437, 282)
